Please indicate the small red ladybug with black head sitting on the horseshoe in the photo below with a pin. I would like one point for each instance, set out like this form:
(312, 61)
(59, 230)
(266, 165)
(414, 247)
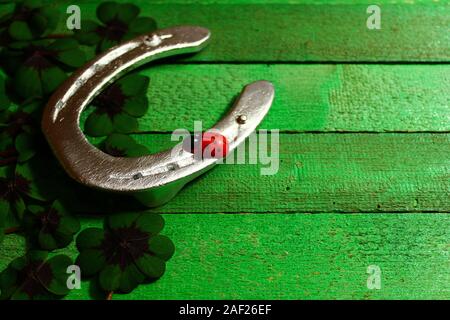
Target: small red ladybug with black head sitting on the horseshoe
(207, 145)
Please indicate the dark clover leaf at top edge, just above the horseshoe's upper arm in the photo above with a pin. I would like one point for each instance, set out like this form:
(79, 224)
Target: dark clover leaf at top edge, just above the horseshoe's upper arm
(120, 23)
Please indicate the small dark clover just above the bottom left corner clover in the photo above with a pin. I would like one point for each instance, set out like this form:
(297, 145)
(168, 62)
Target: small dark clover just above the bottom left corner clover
(53, 227)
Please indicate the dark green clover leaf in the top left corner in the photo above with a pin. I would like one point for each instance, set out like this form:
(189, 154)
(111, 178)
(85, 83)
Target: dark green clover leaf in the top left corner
(29, 20)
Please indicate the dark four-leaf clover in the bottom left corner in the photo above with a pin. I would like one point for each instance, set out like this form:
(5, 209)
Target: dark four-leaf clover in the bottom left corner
(35, 277)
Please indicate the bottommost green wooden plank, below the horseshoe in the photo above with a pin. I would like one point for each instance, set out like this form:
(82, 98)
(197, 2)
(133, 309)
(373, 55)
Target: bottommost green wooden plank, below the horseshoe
(295, 256)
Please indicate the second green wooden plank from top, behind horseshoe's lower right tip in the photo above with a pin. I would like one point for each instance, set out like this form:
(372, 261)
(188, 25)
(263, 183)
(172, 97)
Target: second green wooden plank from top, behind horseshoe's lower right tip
(326, 98)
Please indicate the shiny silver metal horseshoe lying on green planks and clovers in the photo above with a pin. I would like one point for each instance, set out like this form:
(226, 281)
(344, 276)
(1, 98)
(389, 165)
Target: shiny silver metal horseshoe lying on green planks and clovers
(156, 178)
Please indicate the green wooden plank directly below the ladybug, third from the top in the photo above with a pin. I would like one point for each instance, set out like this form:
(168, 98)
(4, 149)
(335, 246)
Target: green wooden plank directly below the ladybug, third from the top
(326, 173)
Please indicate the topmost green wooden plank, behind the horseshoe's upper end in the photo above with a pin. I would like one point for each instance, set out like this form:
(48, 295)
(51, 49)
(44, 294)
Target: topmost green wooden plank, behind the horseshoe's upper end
(297, 32)
